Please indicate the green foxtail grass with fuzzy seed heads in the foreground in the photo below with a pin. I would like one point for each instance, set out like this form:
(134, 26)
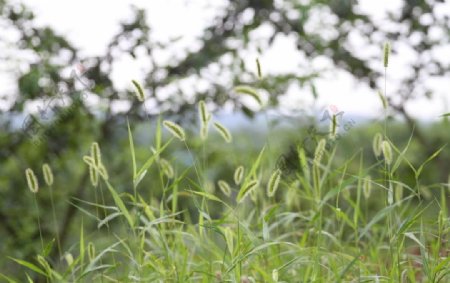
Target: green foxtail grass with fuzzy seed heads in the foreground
(330, 220)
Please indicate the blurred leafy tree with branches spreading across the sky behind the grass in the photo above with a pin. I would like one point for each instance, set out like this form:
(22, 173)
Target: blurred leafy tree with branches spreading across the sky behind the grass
(50, 70)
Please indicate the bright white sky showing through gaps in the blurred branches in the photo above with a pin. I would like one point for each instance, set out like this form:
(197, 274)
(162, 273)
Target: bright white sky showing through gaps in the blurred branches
(90, 26)
